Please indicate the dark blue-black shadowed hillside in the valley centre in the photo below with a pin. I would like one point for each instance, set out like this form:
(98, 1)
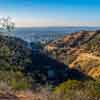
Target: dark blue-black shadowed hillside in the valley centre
(54, 71)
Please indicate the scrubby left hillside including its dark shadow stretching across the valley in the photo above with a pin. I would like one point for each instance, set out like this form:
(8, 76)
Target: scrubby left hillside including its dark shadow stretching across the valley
(29, 67)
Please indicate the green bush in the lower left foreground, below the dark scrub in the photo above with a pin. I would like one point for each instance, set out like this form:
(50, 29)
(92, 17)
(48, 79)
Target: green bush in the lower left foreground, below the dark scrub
(16, 80)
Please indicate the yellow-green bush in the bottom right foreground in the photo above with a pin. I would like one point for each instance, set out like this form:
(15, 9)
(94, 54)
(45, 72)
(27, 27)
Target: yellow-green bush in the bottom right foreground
(76, 90)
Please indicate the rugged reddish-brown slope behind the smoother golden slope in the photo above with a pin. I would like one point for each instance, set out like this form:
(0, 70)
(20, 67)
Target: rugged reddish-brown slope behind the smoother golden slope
(67, 48)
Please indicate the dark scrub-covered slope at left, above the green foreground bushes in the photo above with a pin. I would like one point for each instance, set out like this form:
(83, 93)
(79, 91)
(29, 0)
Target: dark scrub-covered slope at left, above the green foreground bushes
(13, 52)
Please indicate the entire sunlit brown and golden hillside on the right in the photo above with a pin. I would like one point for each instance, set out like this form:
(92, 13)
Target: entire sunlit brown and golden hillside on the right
(79, 51)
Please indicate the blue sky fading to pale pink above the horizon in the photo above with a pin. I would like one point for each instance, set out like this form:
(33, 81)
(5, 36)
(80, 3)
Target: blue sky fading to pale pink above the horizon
(44, 13)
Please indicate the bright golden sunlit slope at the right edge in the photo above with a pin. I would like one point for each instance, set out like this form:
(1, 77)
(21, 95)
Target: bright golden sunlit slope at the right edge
(87, 63)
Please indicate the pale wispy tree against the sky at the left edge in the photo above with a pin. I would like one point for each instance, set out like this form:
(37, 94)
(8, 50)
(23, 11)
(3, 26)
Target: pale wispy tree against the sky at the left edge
(7, 24)
